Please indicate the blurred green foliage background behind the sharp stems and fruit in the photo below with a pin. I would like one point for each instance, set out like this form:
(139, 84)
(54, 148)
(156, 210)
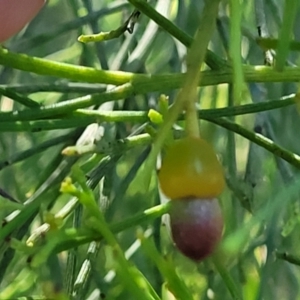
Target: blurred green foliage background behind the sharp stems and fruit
(255, 176)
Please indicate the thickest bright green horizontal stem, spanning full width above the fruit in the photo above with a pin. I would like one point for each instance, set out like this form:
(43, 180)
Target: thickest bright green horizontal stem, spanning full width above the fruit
(142, 83)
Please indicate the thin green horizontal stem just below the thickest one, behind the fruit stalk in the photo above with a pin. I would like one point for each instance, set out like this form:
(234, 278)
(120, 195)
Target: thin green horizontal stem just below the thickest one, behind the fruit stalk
(83, 117)
